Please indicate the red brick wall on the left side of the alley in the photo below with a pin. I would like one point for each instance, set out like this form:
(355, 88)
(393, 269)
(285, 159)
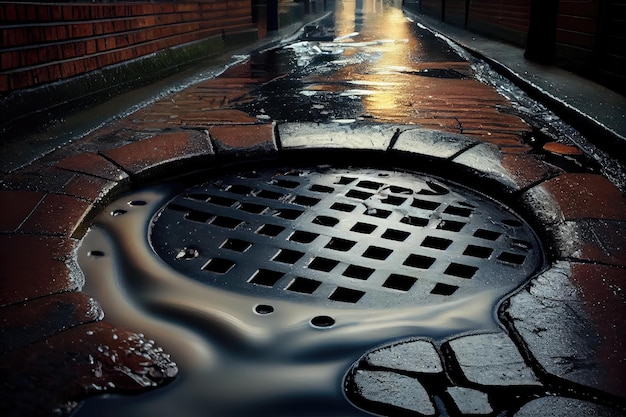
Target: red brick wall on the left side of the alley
(46, 42)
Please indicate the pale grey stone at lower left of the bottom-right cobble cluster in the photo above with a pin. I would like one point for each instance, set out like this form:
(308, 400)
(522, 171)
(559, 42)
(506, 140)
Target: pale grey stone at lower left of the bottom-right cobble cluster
(393, 389)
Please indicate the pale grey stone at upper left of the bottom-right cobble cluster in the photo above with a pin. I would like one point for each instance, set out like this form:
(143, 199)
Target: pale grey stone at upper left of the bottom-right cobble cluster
(418, 356)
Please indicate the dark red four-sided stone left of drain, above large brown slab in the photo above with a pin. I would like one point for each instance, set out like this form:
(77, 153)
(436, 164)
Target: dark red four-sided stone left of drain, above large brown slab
(57, 215)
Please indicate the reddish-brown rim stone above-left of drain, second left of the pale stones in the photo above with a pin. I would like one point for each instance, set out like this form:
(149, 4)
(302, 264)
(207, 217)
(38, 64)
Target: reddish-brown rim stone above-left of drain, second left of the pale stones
(138, 157)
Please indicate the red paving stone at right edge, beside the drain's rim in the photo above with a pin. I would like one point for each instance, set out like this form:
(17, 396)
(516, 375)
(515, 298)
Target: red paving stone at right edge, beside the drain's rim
(587, 196)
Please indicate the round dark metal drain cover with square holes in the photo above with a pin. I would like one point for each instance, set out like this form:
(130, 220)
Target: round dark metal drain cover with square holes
(356, 238)
